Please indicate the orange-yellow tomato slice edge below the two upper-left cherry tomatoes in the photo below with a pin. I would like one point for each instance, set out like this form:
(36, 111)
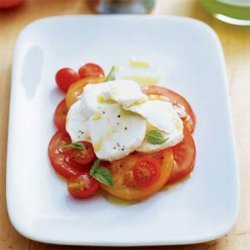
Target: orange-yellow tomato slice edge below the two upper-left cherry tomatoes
(76, 89)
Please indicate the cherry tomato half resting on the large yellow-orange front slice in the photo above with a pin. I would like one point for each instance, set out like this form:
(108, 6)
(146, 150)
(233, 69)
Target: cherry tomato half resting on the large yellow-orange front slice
(146, 171)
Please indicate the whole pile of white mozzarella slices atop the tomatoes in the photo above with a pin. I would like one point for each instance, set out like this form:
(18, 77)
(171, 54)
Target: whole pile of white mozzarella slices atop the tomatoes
(114, 116)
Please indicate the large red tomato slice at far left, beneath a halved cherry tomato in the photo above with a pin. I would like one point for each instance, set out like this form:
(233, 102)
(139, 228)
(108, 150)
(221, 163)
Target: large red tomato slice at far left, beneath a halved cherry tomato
(62, 159)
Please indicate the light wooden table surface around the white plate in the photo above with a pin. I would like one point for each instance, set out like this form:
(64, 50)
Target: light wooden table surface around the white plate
(236, 44)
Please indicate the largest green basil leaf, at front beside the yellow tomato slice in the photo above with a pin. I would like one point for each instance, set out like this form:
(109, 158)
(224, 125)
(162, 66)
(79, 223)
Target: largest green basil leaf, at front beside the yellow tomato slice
(101, 174)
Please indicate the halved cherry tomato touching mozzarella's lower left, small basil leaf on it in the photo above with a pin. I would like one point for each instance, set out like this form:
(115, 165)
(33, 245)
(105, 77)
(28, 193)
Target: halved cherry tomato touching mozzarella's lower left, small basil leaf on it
(85, 156)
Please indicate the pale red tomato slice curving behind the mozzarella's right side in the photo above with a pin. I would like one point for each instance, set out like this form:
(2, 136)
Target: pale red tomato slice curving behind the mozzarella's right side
(181, 105)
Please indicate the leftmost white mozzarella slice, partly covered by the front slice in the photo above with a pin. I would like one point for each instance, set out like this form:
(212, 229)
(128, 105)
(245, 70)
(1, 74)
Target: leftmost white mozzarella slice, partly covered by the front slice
(76, 124)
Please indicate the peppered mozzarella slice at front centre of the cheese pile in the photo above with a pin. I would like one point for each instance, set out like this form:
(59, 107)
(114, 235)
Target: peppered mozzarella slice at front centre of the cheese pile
(116, 133)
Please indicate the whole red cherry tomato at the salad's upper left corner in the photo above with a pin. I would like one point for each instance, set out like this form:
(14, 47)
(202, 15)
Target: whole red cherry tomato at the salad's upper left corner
(65, 77)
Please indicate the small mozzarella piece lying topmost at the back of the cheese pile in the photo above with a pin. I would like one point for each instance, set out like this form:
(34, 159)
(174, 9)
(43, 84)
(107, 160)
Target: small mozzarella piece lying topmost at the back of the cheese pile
(126, 92)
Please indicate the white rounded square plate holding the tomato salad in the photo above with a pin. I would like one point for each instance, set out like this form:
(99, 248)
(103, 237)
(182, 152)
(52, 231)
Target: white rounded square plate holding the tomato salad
(202, 208)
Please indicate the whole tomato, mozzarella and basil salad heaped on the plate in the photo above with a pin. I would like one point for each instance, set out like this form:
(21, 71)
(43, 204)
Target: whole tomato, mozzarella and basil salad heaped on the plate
(119, 136)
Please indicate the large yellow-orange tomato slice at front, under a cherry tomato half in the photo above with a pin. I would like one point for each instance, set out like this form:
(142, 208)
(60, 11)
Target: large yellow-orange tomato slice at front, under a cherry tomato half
(125, 186)
